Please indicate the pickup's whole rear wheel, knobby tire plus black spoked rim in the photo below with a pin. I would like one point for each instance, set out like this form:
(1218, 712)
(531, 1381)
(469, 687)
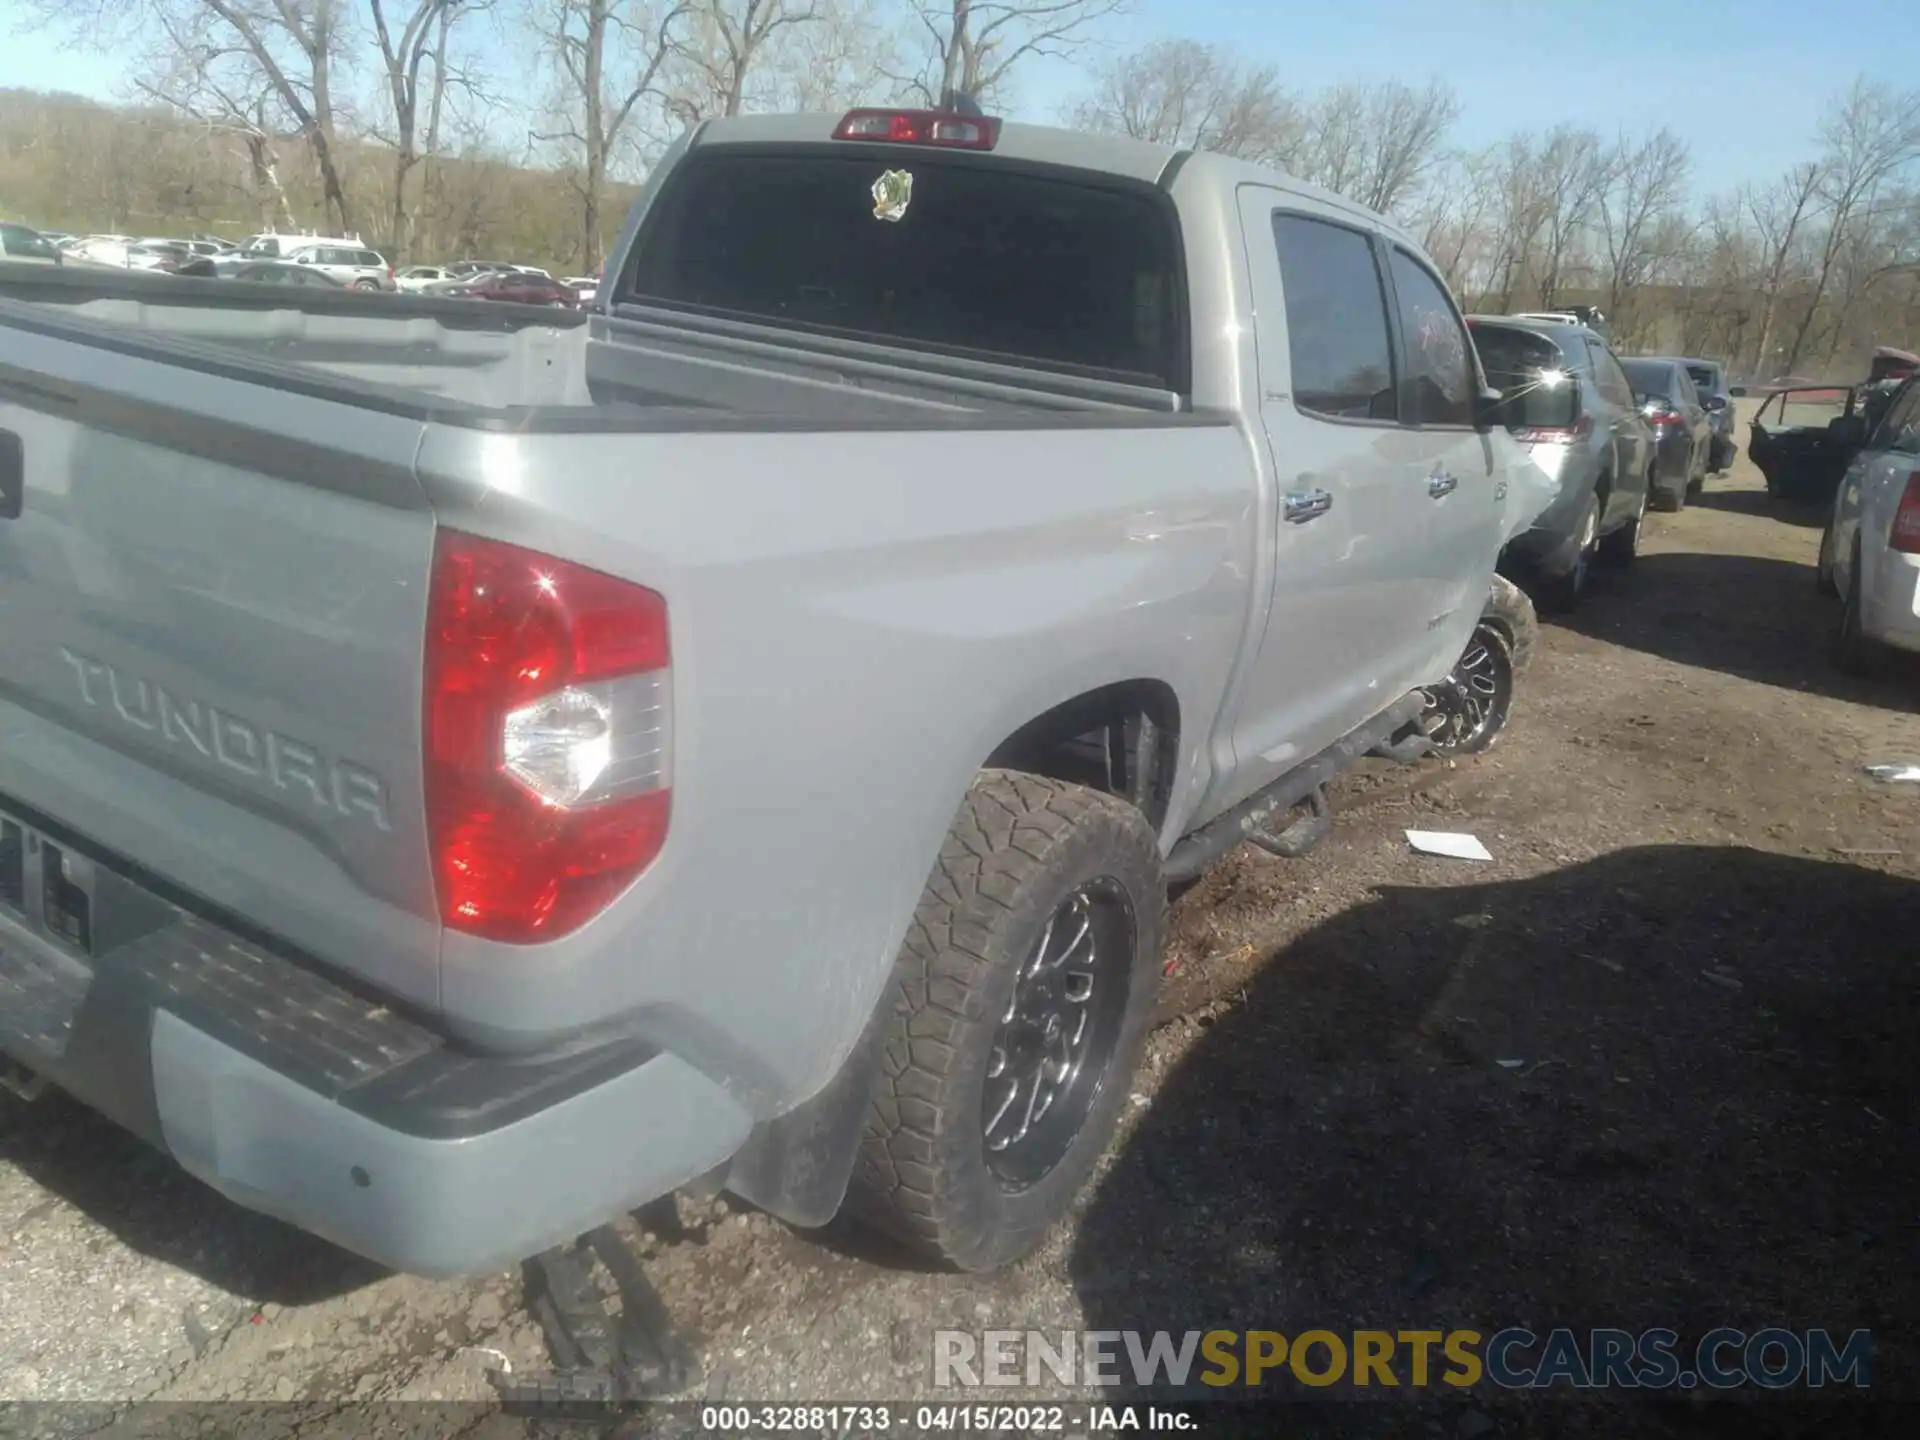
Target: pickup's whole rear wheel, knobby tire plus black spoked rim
(1022, 999)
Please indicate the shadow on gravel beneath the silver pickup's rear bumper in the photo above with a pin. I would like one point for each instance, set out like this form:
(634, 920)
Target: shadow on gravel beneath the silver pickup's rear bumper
(158, 1211)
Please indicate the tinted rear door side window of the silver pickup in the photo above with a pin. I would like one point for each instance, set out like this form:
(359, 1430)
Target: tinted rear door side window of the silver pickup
(1337, 331)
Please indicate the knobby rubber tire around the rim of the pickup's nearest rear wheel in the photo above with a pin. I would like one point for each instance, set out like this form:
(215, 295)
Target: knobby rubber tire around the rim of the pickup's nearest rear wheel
(1019, 848)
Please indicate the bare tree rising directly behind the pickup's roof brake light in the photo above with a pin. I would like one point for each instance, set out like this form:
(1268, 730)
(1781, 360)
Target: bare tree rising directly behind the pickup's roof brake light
(974, 45)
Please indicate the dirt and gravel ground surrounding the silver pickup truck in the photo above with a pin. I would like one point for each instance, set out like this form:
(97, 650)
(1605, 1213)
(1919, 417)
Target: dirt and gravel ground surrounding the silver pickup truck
(1696, 938)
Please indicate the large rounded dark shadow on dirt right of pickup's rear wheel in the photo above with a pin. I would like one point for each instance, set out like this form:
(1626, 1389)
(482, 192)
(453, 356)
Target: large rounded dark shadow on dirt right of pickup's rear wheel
(1669, 1088)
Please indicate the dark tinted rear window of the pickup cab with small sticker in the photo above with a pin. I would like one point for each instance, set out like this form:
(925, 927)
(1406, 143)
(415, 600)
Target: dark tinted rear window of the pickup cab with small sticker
(1015, 264)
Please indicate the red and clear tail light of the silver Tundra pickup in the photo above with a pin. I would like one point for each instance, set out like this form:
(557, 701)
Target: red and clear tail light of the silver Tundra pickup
(546, 738)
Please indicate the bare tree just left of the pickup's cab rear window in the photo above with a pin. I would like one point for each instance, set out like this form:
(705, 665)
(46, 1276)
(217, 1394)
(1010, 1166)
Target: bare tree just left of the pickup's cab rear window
(594, 43)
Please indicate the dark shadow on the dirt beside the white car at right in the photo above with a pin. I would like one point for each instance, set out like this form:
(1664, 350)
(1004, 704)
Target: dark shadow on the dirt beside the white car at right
(1742, 615)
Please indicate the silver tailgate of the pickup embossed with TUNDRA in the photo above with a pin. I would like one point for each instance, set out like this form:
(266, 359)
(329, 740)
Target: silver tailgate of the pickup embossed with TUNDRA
(210, 660)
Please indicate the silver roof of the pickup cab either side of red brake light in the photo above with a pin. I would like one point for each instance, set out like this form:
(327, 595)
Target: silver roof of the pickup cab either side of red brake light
(1049, 145)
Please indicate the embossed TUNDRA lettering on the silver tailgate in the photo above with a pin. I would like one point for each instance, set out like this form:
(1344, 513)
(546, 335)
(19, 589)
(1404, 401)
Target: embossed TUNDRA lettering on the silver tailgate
(226, 740)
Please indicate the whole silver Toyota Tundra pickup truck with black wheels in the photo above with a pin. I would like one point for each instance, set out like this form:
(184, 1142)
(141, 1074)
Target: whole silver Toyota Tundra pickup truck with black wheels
(468, 771)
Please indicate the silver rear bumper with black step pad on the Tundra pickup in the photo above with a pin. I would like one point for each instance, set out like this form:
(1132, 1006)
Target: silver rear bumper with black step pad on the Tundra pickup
(302, 1099)
